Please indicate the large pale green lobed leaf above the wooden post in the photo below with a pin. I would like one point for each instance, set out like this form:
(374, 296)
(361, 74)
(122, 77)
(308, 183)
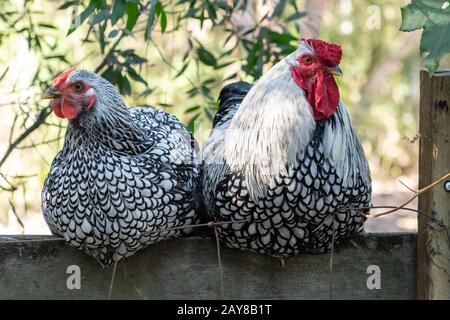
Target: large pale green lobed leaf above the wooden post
(433, 16)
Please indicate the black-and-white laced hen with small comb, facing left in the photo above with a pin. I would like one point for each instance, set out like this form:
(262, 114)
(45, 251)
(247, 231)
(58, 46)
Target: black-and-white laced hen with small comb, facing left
(123, 175)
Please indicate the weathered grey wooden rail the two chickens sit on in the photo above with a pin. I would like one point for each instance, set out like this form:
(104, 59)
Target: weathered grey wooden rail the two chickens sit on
(188, 269)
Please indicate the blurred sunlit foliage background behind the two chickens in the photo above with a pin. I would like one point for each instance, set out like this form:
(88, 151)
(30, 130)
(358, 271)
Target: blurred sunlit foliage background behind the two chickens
(177, 54)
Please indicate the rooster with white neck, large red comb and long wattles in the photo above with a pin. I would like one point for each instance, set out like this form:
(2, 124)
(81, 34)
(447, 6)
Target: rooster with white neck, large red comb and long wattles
(284, 159)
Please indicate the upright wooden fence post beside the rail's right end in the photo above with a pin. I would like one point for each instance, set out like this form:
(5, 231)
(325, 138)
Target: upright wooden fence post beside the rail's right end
(433, 240)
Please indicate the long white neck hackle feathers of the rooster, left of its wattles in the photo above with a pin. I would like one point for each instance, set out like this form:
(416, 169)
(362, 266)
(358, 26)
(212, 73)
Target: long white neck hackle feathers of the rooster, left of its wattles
(273, 124)
